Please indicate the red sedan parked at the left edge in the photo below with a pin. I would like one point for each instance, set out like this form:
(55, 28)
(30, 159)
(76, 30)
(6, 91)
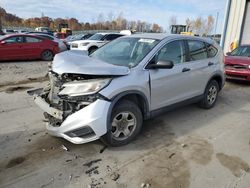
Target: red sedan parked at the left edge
(23, 47)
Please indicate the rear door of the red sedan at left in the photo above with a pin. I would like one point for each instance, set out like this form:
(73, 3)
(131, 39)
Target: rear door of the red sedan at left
(33, 47)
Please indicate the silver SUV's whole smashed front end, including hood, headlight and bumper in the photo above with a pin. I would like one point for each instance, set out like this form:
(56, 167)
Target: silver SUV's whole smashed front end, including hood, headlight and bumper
(73, 107)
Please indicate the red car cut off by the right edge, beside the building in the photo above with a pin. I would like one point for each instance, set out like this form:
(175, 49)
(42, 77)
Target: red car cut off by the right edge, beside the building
(237, 63)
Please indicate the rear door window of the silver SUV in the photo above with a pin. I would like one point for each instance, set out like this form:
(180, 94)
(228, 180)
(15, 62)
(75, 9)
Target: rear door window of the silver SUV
(197, 50)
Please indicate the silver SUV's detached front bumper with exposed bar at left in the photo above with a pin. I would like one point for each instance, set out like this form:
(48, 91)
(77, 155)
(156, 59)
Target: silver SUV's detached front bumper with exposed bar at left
(85, 125)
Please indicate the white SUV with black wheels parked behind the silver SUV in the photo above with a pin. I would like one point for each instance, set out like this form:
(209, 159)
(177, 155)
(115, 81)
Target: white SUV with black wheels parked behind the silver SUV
(94, 42)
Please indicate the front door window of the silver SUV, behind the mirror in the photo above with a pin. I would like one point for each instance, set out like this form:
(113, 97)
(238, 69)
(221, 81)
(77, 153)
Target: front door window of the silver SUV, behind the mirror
(173, 51)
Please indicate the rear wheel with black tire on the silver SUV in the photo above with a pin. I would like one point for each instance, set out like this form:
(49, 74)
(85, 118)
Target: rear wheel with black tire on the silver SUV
(210, 95)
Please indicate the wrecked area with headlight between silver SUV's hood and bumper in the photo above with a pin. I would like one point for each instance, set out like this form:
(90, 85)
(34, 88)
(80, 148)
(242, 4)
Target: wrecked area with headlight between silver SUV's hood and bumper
(69, 93)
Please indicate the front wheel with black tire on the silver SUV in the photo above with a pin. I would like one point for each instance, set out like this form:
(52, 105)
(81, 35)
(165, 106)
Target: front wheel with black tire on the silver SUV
(112, 137)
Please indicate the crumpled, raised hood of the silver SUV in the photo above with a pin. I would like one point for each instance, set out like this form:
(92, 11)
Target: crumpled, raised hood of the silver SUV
(77, 62)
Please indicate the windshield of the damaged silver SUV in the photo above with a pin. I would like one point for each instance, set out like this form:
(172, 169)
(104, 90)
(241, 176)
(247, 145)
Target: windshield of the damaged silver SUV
(125, 51)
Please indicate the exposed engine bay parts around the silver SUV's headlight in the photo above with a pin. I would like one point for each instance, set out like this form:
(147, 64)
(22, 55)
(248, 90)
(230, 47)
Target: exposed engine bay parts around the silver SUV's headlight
(68, 103)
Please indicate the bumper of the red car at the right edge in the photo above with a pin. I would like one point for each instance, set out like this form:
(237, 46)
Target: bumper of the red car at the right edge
(238, 74)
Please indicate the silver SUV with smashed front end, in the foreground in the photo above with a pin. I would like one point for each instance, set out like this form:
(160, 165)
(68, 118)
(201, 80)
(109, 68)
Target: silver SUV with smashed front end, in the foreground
(109, 93)
